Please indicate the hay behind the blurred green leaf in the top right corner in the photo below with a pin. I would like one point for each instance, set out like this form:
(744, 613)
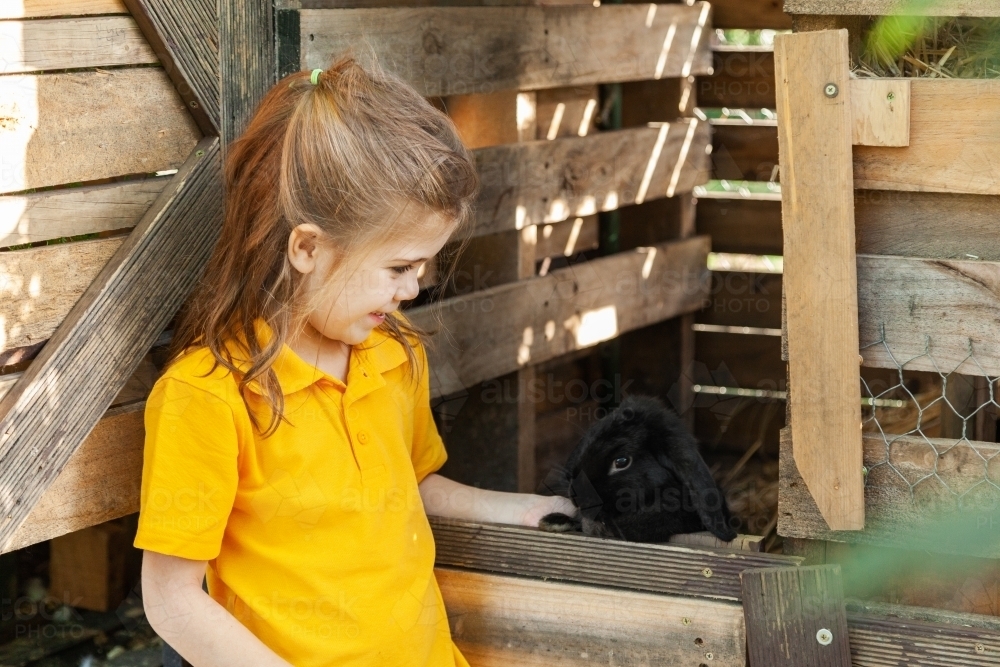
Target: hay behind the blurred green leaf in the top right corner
(933, 47)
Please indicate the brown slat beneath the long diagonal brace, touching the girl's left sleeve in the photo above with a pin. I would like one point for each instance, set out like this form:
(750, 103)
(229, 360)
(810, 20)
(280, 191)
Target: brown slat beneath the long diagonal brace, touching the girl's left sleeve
(99, 483)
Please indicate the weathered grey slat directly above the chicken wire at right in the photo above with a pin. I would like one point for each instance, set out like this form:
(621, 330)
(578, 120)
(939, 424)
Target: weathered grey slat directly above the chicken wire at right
(947, 308)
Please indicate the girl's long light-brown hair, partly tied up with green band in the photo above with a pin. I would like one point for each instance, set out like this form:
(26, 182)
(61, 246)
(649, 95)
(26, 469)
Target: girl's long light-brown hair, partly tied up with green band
(346, 154)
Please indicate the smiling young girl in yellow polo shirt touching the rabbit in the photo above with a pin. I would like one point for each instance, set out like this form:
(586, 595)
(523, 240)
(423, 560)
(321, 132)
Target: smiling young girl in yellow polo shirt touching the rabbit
(290, 452)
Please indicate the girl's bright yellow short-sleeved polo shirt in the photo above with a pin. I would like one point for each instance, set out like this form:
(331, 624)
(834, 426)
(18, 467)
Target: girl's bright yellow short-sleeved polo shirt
(316, 536)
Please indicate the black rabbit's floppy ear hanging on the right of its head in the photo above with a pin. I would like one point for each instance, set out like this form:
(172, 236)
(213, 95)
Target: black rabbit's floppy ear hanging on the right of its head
(681, 454)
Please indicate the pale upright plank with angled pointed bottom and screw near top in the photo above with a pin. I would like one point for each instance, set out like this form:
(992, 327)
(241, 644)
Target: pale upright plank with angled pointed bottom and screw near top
(820, 281)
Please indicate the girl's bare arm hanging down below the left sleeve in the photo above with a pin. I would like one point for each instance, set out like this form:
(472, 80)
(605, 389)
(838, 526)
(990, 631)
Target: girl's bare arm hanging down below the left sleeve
(195, 625)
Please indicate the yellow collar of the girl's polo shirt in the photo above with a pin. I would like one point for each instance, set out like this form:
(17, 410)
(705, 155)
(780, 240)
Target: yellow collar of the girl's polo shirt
(378, 354)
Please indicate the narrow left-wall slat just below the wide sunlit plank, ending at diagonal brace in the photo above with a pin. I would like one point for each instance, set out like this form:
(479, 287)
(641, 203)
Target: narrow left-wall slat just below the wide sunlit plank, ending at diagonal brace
(72, 212)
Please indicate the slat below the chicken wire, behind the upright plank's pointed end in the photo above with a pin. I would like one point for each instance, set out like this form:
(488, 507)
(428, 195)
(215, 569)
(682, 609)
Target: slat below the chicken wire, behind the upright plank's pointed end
(930, 518)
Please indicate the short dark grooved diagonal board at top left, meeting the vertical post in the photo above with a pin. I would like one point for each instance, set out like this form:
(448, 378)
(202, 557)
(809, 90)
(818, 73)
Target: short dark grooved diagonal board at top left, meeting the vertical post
(185, 37)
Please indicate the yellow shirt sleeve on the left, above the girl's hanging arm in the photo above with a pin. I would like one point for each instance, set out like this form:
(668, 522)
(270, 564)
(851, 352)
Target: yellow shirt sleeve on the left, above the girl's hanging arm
(190, 471)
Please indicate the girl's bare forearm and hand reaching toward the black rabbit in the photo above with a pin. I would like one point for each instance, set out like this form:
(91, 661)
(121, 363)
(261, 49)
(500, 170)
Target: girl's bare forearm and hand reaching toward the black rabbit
(443, 497)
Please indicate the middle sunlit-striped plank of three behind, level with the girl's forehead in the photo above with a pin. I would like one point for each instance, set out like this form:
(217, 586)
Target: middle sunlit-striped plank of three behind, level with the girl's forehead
(539, 182)
